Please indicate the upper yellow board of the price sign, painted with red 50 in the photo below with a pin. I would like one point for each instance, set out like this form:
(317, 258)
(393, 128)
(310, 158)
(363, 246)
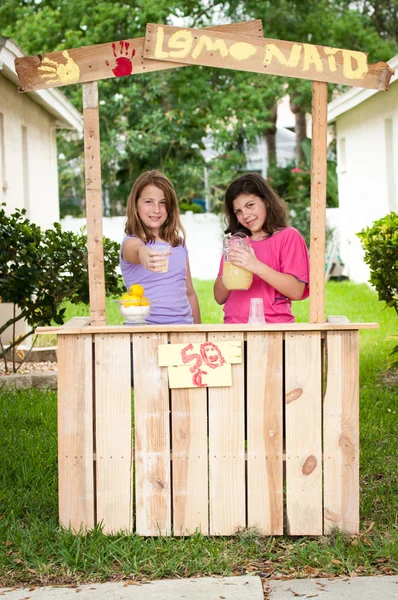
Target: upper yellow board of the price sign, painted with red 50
(182, 354)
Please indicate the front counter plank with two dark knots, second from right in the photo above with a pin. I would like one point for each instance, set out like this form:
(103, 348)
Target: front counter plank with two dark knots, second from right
(303, 433)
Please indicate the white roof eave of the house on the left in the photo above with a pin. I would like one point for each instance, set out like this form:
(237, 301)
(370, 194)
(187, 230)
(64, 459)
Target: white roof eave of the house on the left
(51, 99)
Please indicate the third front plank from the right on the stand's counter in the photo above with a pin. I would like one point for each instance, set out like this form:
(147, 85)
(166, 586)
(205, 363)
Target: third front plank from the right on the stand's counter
(265, 432)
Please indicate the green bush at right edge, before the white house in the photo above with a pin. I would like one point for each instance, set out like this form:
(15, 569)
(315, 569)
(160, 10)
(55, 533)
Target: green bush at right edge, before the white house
(380, 242)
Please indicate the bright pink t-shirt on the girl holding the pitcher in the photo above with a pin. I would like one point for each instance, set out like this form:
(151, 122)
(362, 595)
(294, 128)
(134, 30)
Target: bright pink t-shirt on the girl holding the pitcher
(285, 251)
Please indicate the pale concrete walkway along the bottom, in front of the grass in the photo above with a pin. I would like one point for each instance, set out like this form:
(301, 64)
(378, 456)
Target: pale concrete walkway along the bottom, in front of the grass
(228, 588)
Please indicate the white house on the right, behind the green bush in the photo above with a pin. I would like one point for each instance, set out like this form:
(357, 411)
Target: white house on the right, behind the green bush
(366, 124)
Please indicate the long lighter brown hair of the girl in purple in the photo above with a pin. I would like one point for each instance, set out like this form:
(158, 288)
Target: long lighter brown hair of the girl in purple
(171, 231)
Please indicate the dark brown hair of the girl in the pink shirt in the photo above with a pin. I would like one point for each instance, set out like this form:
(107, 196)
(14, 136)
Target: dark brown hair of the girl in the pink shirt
(253, 183)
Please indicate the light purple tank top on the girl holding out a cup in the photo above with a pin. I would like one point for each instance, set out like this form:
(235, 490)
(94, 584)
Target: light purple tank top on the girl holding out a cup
(167, 292)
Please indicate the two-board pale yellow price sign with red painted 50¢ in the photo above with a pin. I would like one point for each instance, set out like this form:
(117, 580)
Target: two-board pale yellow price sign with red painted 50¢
(200, 365)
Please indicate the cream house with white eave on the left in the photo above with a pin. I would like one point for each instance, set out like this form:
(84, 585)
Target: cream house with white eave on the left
(28, 149)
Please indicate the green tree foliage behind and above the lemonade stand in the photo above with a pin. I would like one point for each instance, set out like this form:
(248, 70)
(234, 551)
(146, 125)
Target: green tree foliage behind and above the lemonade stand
(159, 120)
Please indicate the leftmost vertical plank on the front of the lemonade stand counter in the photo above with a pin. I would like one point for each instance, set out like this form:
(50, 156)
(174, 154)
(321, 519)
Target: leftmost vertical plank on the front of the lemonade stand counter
(75, 432)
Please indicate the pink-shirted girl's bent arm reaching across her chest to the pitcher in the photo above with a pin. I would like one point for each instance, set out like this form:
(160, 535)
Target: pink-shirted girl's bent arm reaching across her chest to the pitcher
(284, 283)
